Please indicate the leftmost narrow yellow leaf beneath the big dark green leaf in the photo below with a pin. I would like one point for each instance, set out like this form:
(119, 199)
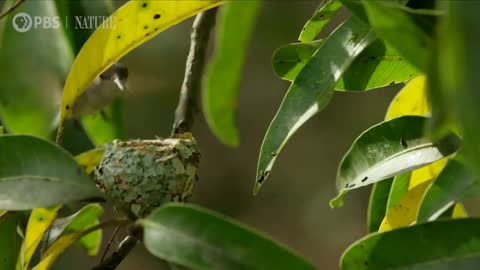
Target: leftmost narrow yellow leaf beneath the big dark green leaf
(38, 224)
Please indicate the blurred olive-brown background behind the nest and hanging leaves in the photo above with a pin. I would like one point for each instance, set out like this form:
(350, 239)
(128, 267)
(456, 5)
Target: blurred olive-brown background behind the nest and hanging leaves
(293, 206)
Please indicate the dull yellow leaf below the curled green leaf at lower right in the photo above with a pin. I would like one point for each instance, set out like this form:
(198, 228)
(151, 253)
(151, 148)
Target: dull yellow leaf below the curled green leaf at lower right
(405, 211)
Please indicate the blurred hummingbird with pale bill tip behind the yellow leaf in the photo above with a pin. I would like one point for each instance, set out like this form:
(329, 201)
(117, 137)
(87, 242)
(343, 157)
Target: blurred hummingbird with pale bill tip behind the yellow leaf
(110, 84)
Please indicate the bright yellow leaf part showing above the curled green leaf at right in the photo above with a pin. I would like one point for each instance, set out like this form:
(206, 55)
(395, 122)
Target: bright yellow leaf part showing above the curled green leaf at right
(411, 100)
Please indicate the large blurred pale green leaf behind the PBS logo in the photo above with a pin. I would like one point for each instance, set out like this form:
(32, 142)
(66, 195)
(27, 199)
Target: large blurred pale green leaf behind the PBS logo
(33, 68)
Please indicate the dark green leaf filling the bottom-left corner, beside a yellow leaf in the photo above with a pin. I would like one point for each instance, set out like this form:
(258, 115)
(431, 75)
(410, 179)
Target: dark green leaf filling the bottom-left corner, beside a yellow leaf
(10, 241)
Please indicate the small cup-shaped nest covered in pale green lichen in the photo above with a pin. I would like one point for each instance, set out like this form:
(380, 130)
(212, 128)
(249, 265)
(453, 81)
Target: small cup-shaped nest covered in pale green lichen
(140, 175)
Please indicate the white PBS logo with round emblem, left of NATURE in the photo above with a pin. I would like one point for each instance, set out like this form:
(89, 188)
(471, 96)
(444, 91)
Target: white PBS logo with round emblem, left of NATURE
(23, 22)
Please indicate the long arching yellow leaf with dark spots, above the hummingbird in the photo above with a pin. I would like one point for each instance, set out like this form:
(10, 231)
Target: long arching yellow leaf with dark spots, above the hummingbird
(130, 26)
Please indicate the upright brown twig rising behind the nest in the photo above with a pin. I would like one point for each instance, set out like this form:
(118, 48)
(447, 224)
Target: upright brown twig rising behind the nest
(189, 94)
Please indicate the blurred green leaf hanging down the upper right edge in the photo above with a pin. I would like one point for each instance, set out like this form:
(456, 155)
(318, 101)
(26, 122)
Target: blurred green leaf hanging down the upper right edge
(458, 64)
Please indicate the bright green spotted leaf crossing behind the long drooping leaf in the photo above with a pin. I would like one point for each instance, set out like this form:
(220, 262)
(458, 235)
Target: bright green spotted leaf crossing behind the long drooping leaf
(377, 66)
